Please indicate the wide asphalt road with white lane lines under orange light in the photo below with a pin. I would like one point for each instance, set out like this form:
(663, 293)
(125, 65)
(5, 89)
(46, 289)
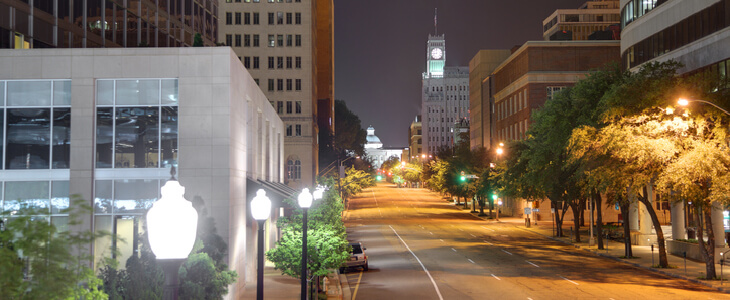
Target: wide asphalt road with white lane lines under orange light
(421, 247)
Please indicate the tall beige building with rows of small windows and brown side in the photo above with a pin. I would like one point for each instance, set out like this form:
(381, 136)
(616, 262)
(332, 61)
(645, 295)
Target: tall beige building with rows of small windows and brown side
(287, 46)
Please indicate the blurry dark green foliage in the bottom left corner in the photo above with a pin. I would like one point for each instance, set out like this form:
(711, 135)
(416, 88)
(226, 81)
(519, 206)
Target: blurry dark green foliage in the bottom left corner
(39, 261)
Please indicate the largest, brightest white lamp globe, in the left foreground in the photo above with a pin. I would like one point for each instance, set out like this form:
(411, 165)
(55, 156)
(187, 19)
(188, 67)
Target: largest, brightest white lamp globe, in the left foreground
(172, 223)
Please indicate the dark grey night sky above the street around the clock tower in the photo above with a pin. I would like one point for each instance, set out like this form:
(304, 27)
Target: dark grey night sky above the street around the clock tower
(380, 49)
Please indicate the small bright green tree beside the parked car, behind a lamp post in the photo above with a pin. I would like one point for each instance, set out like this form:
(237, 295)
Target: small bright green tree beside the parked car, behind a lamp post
(327, 246)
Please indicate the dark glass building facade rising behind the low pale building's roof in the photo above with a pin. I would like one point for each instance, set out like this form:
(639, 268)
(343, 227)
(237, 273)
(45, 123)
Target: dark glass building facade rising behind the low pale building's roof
(109, 23)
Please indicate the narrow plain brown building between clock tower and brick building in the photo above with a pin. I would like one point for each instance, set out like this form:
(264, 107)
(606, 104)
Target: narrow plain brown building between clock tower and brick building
(481, 100)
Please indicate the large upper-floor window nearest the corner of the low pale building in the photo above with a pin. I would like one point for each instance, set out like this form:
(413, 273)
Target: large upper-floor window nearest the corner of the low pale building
(136, 123)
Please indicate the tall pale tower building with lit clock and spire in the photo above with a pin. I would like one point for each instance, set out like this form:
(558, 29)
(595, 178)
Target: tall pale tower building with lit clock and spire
(444, 96)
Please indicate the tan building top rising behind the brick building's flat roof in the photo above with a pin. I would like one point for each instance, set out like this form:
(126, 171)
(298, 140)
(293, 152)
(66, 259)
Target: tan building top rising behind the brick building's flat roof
(588, 22)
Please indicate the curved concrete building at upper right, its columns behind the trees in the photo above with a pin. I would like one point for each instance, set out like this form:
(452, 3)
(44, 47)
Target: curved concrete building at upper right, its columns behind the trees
(696, 34)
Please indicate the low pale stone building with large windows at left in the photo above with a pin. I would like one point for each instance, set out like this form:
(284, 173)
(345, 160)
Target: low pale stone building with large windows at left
(107, 124)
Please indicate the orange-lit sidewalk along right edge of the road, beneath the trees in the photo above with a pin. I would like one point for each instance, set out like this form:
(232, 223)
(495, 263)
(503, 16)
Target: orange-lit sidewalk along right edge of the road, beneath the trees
(683, 269)
